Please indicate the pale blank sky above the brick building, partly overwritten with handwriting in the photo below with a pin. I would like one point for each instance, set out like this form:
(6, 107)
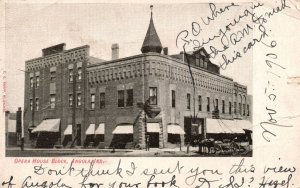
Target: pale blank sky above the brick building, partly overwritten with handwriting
(32, 27)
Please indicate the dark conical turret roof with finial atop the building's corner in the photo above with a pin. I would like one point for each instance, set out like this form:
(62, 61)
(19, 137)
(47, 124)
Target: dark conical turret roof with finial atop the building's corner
(151, 42)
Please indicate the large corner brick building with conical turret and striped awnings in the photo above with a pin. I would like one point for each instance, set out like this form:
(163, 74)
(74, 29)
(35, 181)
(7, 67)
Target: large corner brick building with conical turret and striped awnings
(73, 99)
